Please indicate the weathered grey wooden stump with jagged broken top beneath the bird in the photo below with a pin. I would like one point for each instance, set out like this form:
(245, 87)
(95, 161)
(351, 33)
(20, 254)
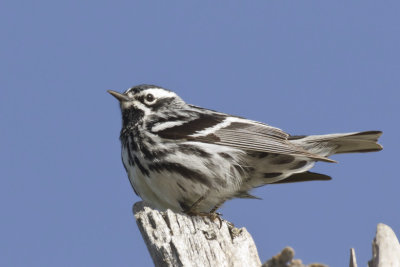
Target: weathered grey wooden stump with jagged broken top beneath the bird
(176, 239)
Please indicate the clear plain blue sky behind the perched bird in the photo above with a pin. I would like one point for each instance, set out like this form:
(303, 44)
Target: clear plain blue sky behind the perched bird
(308, 67)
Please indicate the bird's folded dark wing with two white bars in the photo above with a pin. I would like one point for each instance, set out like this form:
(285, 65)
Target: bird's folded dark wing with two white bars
(222, 129)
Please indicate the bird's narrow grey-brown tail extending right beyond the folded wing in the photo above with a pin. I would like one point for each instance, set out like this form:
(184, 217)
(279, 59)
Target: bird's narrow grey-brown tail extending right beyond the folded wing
(329, 144)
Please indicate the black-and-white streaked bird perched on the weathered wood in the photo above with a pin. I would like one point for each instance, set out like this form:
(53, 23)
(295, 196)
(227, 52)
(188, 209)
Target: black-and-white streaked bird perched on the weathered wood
(176, 153)
